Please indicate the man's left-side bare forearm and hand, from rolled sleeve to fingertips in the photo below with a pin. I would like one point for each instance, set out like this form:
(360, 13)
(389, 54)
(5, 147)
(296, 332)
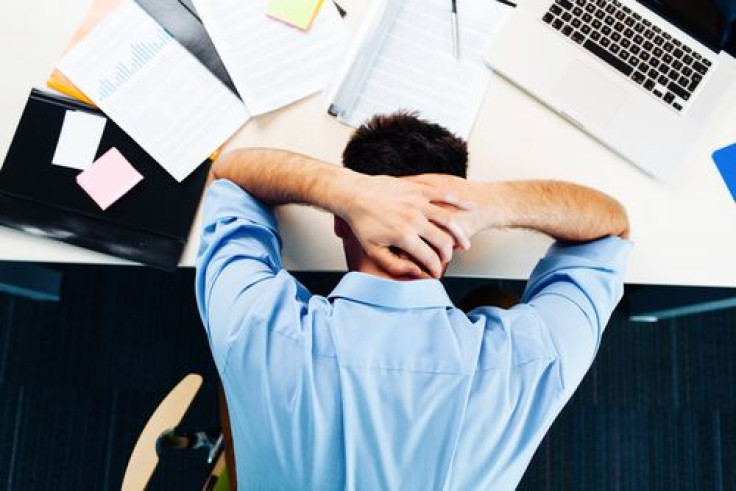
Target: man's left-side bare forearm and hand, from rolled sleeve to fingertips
(384, 213)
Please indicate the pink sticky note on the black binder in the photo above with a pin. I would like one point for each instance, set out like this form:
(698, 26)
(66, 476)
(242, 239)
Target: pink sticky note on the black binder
(109, 178)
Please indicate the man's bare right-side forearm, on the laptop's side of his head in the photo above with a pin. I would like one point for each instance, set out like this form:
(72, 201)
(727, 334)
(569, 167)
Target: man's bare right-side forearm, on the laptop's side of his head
(565, 211)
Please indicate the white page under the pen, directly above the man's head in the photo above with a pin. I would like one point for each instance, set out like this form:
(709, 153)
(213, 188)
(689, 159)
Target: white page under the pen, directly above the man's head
(411, 65)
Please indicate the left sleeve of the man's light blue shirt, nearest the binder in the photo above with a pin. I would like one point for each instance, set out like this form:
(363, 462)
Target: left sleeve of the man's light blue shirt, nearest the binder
(238, 263)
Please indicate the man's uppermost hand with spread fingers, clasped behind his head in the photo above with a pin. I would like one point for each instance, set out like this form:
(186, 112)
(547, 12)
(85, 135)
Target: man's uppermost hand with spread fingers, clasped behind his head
(420, 219)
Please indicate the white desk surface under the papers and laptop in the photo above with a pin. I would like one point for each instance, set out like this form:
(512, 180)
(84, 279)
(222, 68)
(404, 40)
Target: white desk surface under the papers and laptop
(685, 229)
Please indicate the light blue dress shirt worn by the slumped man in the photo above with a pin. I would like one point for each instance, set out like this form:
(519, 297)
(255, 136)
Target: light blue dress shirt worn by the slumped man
(384, 384)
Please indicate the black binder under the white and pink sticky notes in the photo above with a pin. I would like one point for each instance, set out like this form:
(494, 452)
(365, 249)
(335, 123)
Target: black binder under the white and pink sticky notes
(150, 224)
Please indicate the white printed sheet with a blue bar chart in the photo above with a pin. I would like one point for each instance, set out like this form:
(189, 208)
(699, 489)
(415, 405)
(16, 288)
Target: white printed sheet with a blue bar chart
(154, 89)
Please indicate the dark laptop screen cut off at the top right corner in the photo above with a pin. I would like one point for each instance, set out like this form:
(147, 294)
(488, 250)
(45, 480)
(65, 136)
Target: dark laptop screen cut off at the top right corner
(712, 22)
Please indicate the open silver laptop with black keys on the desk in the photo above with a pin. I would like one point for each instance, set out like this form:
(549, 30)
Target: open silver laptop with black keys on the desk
(641, 76)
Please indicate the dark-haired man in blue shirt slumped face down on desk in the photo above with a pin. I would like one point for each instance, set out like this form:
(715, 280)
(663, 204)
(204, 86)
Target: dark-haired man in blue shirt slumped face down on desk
(384, 384)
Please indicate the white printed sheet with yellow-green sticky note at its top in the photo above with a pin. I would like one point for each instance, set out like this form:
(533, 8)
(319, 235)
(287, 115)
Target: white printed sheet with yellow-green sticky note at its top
(271, 63)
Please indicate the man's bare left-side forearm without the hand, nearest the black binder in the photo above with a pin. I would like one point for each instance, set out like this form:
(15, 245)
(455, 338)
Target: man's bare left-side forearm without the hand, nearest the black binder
(278, 177)
